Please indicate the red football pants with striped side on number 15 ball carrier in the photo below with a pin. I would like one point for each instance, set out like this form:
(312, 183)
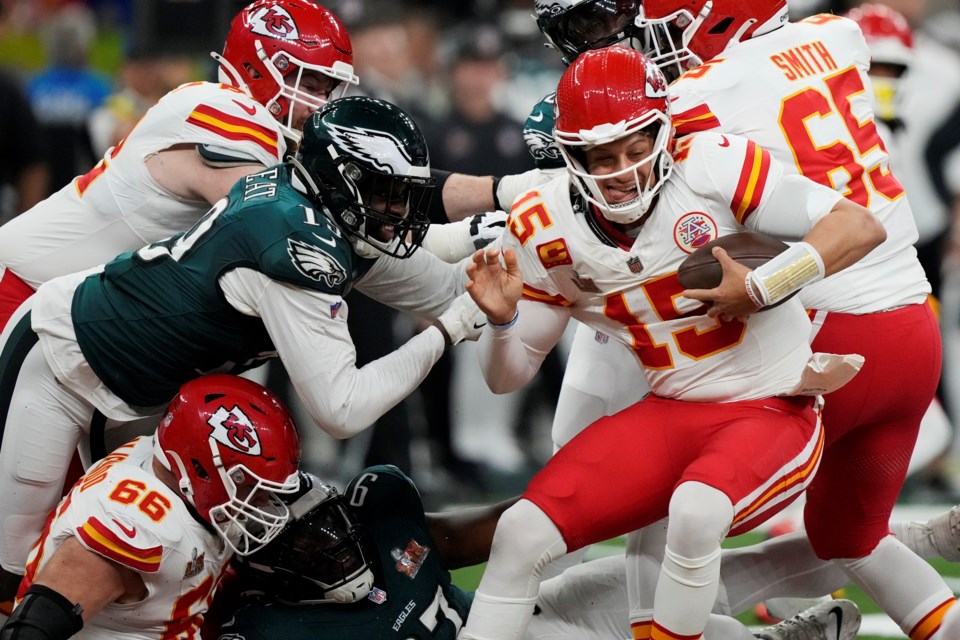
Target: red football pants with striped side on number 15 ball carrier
(619, 473)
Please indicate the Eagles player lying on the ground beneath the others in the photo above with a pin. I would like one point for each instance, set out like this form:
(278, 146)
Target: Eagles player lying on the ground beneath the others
(376, 550)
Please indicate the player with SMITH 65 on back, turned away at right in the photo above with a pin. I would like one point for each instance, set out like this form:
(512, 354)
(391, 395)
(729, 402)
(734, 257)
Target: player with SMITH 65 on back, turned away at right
(800, 91)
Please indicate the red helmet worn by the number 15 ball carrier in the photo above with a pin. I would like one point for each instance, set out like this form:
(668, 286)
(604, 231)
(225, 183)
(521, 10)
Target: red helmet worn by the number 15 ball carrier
(609, 94)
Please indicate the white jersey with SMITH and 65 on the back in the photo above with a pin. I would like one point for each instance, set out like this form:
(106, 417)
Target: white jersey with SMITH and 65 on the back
(802, 93)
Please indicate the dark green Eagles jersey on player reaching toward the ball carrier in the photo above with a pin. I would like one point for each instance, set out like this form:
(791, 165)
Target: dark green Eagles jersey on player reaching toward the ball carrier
(156, 317)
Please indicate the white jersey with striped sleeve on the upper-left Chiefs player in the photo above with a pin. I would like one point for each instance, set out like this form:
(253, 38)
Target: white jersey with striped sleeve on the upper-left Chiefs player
(118, 206)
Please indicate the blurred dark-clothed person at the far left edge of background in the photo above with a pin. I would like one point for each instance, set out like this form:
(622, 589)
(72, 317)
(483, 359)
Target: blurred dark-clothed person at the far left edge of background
(24, 178)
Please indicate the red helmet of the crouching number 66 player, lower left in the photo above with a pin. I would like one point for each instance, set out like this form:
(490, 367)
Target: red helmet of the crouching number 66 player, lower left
(232, 446)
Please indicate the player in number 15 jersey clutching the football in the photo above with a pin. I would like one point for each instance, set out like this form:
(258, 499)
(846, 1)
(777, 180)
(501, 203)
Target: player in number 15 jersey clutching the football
(730, 434)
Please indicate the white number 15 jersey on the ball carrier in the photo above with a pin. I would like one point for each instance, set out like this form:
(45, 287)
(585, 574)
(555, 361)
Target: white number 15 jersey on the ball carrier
(629, 288)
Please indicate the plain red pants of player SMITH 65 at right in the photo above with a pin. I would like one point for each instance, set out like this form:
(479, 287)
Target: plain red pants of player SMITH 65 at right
(871, 425)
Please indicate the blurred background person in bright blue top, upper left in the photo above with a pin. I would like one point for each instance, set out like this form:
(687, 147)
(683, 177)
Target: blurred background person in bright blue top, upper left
(66, 92)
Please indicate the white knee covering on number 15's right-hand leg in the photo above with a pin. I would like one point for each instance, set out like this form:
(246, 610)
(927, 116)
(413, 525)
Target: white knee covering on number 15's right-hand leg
(700, 517)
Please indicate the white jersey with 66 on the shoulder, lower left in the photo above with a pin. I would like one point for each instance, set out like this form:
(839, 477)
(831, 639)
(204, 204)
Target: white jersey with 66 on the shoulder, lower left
(121, 511)
